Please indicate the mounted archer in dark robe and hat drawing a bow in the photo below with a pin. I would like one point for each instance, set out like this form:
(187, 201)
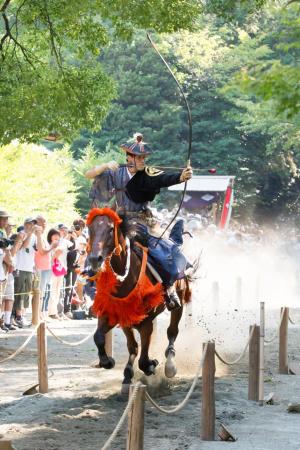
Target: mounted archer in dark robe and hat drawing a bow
(132, 186)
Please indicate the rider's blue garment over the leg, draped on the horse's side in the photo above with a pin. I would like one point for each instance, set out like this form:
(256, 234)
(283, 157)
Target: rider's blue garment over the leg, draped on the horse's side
(165, 255)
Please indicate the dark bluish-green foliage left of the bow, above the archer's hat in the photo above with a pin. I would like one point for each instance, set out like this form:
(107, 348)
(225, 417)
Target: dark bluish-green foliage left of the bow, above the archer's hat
(148, 101)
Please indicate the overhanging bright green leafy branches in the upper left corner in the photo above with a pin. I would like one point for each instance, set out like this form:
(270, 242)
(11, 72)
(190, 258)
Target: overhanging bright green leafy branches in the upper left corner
(50, 78)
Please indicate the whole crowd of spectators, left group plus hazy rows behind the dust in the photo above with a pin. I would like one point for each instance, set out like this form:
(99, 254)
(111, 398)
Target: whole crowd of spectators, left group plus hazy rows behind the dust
(52, 260)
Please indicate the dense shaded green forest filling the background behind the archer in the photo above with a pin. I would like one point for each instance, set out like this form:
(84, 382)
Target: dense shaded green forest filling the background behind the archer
(241, 77)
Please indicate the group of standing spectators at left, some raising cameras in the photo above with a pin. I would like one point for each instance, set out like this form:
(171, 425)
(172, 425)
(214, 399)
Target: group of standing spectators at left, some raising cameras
(33, 257)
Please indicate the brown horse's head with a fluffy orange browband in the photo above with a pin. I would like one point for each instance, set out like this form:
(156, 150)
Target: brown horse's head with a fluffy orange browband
(104, 235)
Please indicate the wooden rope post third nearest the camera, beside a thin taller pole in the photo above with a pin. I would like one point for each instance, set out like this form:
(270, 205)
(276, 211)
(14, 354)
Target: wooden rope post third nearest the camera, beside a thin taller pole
(253, 383)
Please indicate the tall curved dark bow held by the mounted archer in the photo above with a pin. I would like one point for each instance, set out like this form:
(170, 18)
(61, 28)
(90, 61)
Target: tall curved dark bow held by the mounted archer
(190, 130)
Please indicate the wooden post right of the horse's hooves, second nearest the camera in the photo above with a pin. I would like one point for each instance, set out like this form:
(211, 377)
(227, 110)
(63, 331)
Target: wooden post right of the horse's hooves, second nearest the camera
(208, 394)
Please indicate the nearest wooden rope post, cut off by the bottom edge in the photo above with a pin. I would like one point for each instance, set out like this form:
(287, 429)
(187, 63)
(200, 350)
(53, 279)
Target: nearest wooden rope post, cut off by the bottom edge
(135, 435)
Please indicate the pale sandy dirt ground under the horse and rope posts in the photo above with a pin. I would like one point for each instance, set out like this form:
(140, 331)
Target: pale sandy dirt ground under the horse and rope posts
(84, 404)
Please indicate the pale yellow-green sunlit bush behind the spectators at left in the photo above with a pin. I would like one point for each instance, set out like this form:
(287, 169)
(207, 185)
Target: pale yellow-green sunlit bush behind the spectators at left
(34, 180)
